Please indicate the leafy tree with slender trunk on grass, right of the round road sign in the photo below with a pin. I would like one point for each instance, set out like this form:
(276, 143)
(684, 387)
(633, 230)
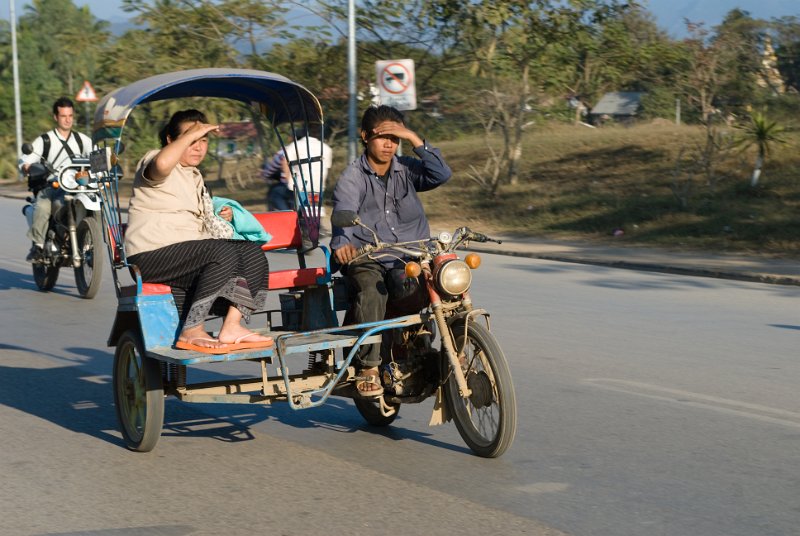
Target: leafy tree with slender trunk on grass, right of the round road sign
(508, 42)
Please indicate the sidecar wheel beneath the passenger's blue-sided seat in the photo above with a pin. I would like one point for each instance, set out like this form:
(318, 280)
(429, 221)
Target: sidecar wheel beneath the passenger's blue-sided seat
(138, 394)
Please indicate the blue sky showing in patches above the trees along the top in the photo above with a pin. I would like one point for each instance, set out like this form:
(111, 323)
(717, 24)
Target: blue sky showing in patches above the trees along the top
(669, 14)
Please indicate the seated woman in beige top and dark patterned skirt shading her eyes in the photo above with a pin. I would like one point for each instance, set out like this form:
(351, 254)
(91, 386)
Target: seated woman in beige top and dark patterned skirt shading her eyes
(169, 239)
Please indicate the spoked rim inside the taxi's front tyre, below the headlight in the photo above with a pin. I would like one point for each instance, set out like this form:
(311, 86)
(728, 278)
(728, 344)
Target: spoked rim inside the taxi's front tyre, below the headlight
(482, 408)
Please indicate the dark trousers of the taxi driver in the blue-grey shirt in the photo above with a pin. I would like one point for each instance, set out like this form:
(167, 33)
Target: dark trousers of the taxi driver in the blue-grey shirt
(366, 287)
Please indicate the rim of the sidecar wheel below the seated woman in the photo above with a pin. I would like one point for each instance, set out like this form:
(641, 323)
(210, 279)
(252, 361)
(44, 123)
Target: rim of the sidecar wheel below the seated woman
(132, 392)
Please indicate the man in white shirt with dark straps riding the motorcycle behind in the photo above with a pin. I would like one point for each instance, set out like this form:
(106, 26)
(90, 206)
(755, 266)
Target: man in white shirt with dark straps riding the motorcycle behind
(57, 147)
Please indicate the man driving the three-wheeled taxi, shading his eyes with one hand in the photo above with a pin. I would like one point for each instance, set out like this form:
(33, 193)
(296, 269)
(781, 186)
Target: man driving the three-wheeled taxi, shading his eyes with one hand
(382, 189)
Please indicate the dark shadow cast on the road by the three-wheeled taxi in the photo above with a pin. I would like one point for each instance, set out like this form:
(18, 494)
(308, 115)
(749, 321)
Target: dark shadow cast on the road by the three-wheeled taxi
(78, 399)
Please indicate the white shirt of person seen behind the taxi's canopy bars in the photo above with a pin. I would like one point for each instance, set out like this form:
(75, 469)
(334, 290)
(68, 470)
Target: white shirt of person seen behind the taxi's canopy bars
(309, 173)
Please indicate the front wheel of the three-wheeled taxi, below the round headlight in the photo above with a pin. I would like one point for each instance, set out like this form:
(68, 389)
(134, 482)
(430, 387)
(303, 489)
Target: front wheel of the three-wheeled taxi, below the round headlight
(487, 420)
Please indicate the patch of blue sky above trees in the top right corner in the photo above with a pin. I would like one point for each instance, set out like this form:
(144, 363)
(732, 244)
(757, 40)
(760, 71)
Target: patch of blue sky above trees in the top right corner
(670, 14)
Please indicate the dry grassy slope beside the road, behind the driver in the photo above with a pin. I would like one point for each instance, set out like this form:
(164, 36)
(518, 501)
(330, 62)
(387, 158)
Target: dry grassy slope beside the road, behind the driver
(582, 183)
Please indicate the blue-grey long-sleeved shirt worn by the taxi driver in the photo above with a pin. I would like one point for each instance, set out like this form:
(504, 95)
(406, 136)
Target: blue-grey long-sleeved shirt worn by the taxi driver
(393, 211)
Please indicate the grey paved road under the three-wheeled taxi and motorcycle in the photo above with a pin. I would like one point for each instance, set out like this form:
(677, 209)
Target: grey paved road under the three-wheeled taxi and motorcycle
(649, 404)
